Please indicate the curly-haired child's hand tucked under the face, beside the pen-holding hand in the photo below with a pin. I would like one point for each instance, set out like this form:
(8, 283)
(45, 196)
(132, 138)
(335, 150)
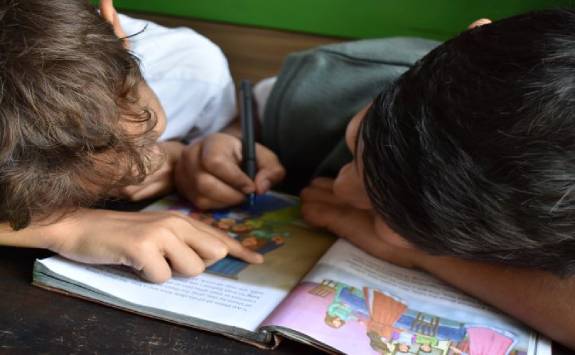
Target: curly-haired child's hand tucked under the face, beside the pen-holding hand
(161, 181)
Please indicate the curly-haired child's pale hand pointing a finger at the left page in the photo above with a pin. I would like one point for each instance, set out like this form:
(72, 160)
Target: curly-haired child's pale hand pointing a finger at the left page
(154, 243)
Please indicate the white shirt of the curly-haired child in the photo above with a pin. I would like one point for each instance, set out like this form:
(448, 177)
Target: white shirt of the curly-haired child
(188, 73)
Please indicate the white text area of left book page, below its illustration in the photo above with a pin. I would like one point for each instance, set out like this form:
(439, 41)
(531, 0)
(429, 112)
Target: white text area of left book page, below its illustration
(206, 297)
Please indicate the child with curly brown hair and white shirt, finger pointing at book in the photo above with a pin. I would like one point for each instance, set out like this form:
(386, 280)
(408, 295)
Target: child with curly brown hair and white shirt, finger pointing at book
(80, 123)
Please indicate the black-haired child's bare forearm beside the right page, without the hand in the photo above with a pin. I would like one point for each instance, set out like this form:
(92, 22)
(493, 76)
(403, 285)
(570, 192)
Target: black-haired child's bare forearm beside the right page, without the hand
(541, 300)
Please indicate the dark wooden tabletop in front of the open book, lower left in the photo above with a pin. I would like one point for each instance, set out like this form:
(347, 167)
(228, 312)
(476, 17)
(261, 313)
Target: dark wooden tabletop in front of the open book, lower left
(36, 321)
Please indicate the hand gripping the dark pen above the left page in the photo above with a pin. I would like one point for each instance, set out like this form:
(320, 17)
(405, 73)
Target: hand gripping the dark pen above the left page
(209, 172)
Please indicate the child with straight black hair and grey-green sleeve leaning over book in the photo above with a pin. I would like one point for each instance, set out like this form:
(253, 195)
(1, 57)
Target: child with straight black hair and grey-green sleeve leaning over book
(463, 163)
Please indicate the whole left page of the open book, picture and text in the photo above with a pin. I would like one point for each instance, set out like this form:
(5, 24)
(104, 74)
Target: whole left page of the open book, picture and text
(231, 292)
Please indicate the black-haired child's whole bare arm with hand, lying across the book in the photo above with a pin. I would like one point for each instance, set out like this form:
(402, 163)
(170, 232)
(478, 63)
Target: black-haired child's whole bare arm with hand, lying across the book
(540, 299)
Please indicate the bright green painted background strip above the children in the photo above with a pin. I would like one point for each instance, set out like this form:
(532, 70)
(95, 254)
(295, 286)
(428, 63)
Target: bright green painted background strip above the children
(439, 19)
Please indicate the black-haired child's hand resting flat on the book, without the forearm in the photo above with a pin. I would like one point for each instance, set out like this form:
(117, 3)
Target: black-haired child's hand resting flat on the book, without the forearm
(321, 208)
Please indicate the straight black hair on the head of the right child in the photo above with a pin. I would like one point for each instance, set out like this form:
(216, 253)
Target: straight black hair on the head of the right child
(471, 153)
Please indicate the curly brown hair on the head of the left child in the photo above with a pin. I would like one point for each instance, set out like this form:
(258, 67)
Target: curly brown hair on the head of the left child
(68, 94)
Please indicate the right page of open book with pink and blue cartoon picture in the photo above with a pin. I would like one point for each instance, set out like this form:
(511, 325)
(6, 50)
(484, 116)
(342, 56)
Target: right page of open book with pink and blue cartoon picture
(354, 303)
